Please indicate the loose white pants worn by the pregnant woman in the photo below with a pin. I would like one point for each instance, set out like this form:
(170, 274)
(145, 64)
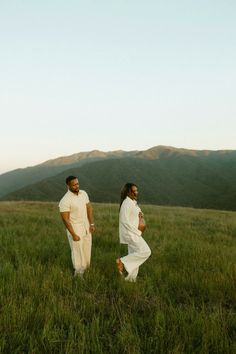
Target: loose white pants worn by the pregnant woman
(138, 253)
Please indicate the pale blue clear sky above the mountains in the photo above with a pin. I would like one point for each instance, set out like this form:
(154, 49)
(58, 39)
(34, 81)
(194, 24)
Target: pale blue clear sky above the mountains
(115, 74)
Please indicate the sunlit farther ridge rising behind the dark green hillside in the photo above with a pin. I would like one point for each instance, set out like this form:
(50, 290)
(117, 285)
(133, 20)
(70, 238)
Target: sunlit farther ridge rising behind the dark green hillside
(16, 179)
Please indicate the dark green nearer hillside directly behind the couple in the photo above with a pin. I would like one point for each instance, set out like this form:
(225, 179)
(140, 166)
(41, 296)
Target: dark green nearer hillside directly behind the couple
(205, 181)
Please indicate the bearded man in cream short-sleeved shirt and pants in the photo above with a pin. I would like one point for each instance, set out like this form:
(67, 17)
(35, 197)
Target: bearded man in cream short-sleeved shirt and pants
(77, 214)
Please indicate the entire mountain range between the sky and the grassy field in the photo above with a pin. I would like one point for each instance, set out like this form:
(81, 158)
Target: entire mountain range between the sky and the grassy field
(165, 176)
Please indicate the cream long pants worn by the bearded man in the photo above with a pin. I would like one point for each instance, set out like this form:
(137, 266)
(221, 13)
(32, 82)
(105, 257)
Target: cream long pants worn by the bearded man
(80, 251)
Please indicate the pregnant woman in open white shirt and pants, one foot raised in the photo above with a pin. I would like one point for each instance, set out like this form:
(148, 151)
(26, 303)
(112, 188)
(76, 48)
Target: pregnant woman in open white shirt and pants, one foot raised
(131, 226)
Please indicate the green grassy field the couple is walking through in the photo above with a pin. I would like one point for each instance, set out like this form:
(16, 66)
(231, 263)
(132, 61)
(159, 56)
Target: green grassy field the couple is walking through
(183, 302)
